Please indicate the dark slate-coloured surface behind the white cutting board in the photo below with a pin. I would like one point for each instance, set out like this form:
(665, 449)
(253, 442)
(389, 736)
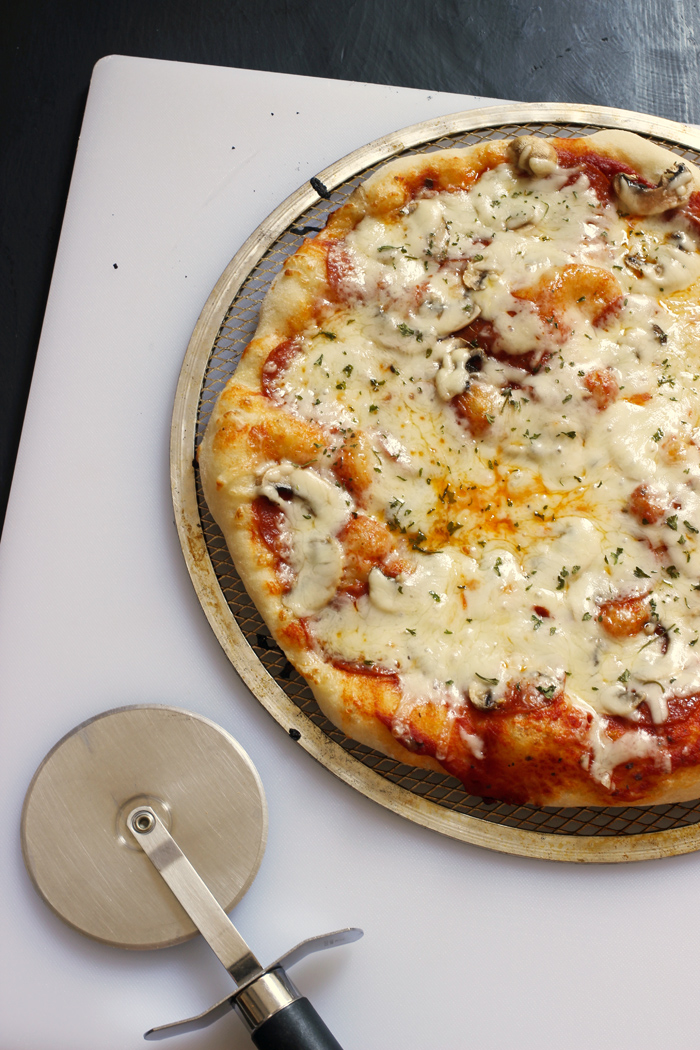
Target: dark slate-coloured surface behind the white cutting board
(633, 54)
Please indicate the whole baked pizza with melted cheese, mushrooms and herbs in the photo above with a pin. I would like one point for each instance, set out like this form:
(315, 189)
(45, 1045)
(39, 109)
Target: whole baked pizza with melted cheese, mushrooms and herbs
(458, 468)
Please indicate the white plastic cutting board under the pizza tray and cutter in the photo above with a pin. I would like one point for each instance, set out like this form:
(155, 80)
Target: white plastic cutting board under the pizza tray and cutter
(177, 166)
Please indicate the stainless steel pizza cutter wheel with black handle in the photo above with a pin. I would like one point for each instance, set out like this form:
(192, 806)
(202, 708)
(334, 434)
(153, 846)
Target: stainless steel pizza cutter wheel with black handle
(145, 826)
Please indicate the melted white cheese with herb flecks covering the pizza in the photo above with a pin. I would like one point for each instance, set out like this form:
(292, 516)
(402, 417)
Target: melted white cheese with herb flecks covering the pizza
(518, 533)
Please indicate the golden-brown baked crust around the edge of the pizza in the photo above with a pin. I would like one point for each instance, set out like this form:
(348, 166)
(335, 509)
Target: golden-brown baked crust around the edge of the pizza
(545, 744)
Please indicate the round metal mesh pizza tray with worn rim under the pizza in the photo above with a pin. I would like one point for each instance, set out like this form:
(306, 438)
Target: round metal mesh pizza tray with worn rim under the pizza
(226, 326)
